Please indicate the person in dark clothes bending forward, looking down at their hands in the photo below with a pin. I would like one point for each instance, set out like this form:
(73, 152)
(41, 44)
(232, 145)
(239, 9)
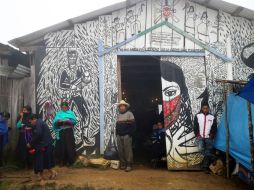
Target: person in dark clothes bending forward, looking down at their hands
(42, 148)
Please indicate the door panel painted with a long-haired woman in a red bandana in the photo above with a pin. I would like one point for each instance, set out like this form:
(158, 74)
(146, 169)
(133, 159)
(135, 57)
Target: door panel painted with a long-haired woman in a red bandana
(179, 107)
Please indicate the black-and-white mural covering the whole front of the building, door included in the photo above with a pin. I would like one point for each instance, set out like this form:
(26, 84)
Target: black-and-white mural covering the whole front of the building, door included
(70, 68)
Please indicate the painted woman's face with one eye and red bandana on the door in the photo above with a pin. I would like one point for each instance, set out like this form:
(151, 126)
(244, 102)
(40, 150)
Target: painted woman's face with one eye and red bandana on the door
(171, 102)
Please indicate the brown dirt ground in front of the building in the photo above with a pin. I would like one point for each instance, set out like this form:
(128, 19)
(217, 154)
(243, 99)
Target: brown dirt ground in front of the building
(141, 178)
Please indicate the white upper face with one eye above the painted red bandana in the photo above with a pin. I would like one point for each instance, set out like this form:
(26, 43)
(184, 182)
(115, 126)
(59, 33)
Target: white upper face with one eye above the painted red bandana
(170, 90)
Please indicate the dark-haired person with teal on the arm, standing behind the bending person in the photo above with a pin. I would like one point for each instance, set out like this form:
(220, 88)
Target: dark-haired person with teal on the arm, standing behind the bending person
(25, 136)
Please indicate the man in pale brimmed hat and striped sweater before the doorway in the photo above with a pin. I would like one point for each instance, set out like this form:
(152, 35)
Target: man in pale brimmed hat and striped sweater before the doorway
(125, 127)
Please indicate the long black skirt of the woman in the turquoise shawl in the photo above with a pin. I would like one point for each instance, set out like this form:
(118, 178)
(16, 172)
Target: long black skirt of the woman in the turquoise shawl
(65, 153)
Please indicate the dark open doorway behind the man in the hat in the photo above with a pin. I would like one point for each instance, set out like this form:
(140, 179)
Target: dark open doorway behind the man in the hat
(141, 87)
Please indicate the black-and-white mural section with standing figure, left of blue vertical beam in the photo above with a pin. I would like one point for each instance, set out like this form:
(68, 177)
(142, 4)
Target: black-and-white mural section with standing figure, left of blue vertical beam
(69, 72)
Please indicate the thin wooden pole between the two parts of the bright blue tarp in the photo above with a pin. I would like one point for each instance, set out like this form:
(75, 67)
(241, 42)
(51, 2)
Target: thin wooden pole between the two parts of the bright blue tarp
(227, 130)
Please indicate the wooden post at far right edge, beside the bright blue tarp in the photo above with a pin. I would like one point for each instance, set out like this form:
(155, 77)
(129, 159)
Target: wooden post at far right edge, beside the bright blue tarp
(250, 125)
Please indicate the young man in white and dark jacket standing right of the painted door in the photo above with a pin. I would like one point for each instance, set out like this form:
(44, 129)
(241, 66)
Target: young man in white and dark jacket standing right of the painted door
(205, 128)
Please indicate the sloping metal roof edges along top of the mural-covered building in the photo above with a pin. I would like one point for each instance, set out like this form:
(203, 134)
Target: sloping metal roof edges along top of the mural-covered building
(36, 38)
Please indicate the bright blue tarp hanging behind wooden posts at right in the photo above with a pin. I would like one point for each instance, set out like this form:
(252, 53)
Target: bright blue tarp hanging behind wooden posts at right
(239, 143)
